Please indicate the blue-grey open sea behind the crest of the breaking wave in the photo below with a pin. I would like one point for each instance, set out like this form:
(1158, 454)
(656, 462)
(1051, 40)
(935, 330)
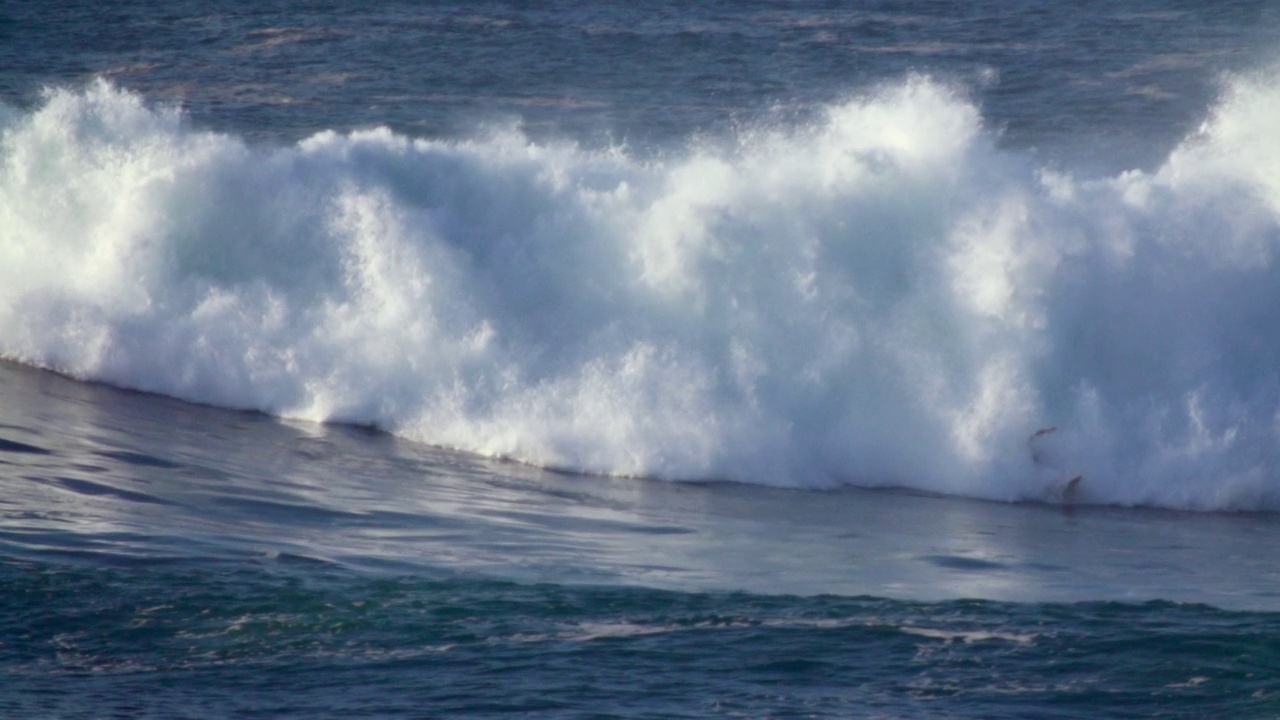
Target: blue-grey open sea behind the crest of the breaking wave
(1122, 84)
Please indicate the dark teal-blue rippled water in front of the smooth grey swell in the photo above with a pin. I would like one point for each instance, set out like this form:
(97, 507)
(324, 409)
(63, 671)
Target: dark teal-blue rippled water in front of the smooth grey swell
(304, 642)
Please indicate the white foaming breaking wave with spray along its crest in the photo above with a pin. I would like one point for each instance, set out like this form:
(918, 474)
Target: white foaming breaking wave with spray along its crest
(883, 298)
